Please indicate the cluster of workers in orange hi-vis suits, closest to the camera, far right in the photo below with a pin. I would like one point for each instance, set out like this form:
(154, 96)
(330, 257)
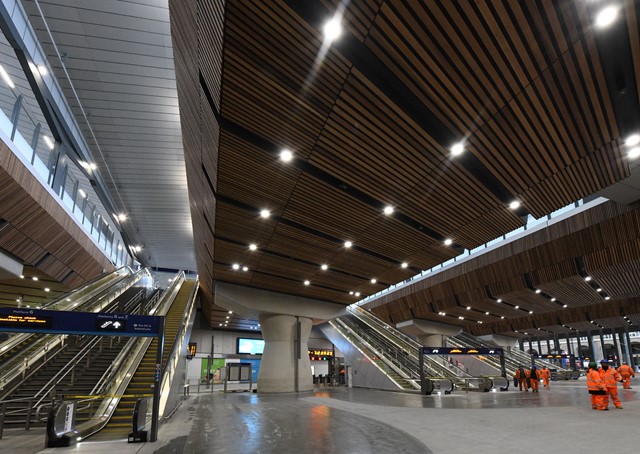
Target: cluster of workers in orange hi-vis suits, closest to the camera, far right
(603, 382)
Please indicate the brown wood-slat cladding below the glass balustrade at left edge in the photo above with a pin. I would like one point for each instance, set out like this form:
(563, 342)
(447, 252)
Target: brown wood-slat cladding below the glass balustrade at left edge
(38, 231)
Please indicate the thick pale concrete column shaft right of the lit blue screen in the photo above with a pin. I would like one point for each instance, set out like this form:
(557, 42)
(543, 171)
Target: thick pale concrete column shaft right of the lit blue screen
(285, 365)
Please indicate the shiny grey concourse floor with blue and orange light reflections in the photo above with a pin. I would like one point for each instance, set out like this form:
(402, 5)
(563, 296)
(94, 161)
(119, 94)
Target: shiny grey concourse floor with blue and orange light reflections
(341, 420)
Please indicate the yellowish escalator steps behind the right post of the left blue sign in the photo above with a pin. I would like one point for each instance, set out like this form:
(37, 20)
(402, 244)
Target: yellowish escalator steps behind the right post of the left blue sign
(141, 382)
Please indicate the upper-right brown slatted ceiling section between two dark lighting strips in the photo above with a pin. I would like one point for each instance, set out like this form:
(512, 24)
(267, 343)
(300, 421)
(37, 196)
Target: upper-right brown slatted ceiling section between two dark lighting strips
(494, 99)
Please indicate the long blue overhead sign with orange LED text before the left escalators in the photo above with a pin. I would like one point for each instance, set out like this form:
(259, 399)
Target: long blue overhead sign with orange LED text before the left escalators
(71, 322)
